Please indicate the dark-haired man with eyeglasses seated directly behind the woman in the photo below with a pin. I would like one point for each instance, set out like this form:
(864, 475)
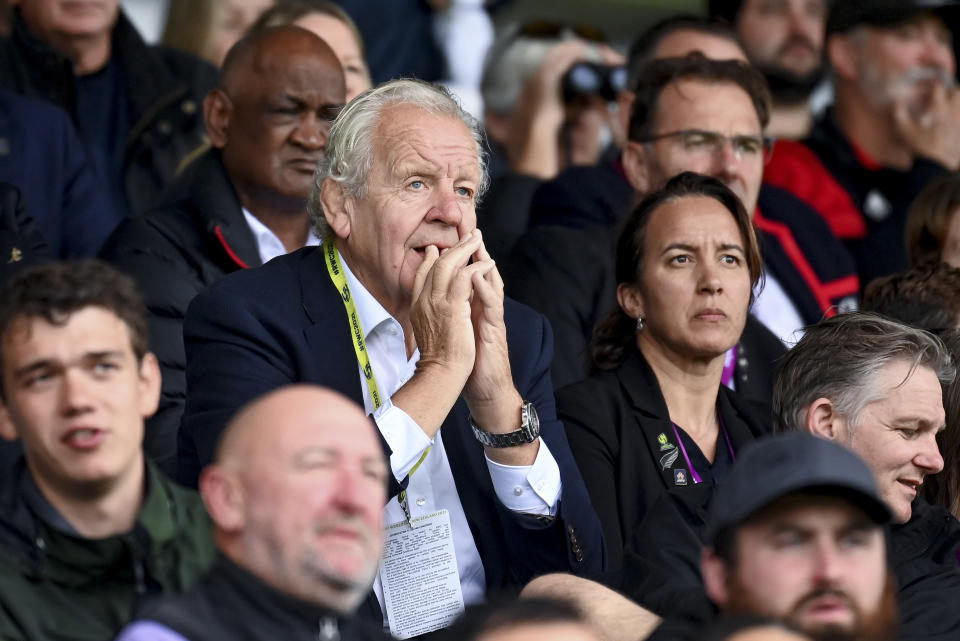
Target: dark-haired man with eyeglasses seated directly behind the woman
(707, 116)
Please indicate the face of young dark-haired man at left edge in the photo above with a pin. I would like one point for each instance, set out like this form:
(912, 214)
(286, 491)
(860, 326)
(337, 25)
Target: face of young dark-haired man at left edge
(76, 396)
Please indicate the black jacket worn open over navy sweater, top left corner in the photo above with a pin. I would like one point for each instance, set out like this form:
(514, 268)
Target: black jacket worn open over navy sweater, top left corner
(165, 89)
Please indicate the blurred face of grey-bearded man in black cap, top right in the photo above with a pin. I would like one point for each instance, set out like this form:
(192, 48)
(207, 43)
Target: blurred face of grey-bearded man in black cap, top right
(904, 63)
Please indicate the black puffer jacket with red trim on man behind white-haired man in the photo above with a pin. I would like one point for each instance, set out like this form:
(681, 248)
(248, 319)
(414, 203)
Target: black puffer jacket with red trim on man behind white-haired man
(174, 253)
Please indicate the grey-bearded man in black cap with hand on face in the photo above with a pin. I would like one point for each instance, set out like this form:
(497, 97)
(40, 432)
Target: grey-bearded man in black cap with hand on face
(894, 125)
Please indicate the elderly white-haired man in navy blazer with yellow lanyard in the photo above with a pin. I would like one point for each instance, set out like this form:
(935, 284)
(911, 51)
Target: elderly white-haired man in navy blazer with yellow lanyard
(402, 309)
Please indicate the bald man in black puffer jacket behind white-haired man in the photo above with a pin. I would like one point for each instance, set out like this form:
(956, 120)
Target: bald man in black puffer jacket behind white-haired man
(239, 204)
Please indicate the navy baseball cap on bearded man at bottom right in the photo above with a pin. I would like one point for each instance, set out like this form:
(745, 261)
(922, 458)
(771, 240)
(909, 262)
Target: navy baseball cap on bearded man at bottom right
(774, 467)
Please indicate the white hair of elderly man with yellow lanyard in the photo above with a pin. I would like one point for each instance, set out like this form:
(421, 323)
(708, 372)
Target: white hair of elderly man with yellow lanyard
(350, 147)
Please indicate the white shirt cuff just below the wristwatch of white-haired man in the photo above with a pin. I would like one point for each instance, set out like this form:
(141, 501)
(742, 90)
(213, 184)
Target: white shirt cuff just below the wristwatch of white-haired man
(532, 489)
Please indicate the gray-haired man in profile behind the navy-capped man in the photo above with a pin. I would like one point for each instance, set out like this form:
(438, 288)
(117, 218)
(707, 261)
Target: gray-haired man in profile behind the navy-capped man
(874, 386)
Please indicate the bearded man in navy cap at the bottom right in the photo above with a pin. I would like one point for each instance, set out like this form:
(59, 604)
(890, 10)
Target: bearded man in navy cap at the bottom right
(796, 533)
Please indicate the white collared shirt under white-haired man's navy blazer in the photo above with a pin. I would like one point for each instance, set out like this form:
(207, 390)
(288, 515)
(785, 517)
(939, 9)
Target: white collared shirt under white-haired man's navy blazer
(533, 489)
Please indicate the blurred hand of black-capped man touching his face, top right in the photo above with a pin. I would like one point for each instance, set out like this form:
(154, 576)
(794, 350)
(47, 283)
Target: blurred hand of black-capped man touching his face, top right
(934, 134)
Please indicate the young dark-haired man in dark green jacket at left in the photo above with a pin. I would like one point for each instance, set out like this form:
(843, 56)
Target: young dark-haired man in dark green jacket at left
(89, 528)
